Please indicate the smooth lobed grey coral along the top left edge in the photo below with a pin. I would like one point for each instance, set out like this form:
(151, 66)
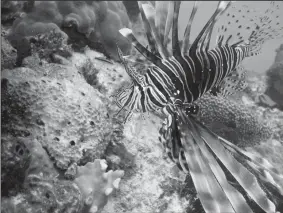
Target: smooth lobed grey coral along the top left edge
(96, 20)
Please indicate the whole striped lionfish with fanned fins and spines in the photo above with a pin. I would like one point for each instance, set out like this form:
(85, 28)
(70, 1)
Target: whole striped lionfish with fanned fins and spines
(176, 77)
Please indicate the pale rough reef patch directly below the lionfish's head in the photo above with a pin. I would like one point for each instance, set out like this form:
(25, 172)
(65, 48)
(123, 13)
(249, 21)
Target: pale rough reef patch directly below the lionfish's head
(151, 182)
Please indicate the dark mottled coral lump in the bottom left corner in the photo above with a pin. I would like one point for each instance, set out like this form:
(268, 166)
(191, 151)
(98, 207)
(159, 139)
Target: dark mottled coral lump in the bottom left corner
(45, 196)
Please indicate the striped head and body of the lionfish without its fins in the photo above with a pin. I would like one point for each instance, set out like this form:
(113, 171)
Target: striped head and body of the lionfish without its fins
(176, 80)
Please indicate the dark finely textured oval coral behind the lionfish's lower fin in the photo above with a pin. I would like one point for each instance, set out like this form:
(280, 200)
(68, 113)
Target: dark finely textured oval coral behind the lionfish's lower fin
(233, 121)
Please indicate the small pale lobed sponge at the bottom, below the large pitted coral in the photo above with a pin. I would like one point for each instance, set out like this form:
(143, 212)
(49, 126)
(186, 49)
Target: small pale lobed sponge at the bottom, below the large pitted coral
(96, 184)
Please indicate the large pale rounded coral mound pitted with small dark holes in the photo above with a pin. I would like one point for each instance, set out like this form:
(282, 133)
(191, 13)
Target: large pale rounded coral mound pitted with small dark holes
(47, 103)
